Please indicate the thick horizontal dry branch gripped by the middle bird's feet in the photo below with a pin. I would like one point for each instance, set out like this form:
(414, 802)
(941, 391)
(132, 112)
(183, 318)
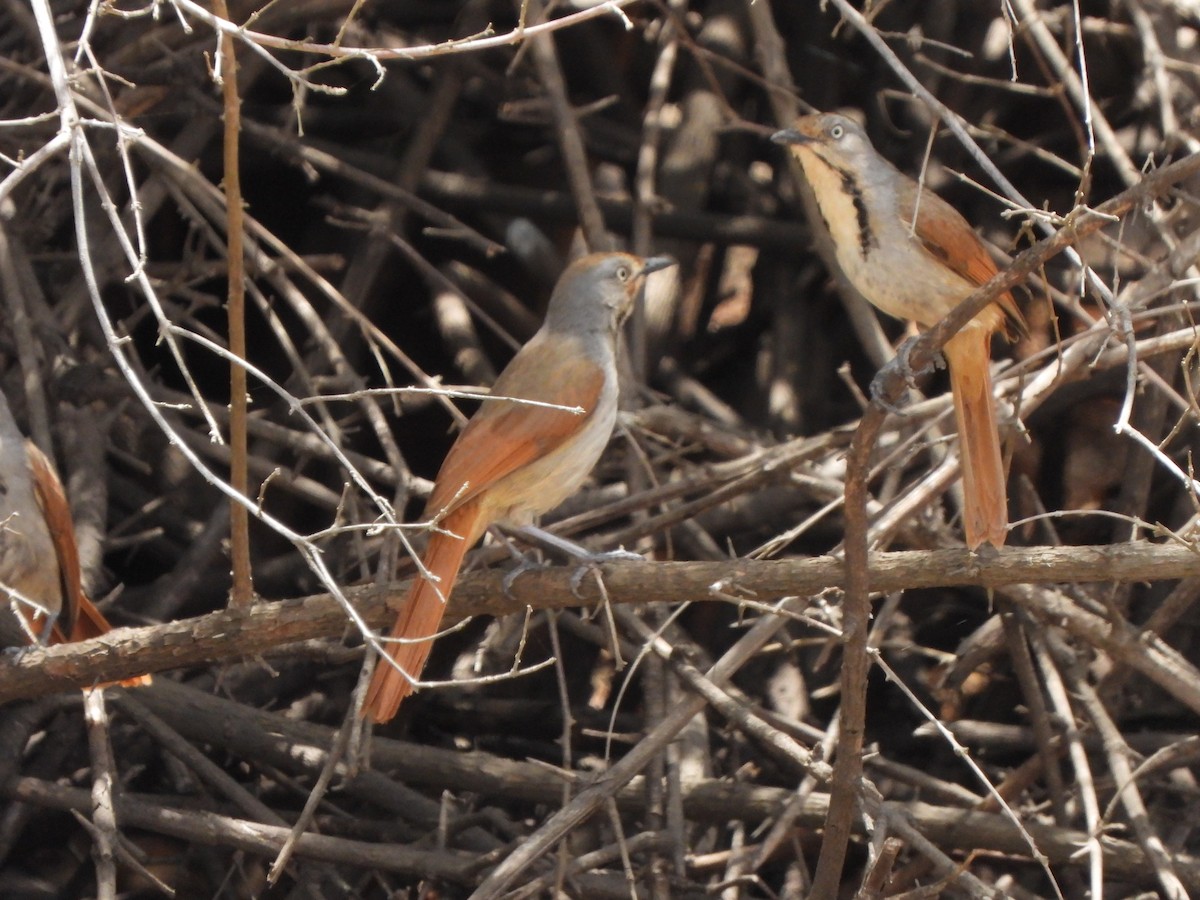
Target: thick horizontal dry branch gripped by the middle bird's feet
(268, 627)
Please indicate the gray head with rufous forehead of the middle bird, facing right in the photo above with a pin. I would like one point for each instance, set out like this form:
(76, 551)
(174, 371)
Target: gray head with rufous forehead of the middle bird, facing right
(597, 293)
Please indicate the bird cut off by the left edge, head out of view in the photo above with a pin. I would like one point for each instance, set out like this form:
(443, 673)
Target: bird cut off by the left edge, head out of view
(40, 572)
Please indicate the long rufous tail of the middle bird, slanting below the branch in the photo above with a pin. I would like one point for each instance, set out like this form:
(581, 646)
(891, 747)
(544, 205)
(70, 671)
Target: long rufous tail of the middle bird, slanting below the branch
(422, 614)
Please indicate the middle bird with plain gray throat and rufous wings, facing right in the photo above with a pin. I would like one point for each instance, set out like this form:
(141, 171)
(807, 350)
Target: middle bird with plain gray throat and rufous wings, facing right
(515, 461)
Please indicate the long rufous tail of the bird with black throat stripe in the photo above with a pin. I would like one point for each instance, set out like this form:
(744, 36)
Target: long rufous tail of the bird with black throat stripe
(986, 505)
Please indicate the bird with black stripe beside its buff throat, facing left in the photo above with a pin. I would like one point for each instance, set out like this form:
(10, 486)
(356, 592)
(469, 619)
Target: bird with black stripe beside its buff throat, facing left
(916, 272)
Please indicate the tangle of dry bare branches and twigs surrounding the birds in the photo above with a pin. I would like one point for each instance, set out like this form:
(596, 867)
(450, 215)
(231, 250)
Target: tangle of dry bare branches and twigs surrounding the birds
(808, 675)
